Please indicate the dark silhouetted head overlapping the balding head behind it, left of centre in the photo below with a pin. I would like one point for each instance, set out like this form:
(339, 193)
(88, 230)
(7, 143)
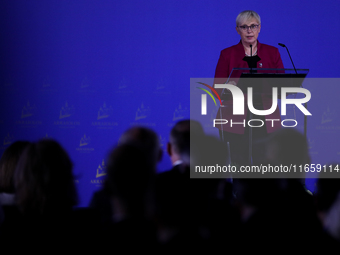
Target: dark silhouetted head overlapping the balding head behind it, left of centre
(130, 177)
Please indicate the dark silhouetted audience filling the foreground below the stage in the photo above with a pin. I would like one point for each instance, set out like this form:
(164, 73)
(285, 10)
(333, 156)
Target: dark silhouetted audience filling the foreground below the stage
(174, 209)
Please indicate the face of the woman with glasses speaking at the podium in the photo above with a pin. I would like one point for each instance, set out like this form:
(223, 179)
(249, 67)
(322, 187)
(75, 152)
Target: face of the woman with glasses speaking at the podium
(249, 35)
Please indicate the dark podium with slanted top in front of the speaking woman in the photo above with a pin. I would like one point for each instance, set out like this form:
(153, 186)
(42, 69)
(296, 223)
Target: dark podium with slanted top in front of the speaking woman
(262, 81)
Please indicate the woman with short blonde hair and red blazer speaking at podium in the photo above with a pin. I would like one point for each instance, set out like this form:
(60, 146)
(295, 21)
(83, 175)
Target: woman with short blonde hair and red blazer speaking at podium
(248, 53)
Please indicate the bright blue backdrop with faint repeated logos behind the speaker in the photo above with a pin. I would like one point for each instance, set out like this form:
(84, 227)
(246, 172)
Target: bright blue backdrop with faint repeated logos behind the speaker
(83, 71)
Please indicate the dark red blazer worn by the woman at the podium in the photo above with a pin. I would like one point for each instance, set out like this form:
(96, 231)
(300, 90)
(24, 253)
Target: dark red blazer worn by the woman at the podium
(232, 57)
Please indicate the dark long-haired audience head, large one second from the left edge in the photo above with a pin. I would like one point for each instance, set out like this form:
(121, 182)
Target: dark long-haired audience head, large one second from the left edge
(44, 181)
